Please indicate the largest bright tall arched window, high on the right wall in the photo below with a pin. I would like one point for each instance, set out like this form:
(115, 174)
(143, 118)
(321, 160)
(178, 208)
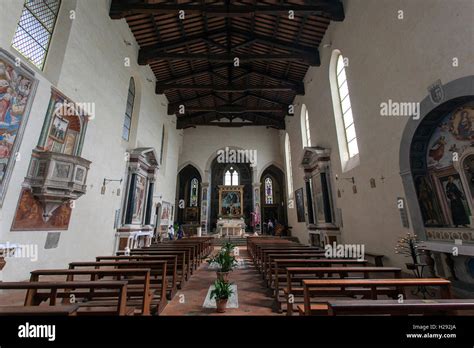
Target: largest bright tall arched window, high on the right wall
(345, 127)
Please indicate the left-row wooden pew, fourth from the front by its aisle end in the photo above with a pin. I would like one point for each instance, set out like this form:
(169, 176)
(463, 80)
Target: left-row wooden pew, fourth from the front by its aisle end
(171, 270)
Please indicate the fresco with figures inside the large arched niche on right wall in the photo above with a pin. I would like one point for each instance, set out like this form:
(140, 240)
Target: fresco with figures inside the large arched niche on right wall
(446, 192)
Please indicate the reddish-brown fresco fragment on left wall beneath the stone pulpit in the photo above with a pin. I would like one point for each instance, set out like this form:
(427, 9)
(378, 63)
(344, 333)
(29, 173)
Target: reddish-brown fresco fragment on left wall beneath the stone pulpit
(28, 216)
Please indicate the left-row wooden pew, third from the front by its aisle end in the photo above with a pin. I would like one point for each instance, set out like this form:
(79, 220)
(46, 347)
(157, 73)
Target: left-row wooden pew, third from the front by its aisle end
(157, 273)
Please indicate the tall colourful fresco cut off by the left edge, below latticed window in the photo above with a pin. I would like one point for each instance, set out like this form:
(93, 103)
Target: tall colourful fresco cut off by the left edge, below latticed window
(17, 90)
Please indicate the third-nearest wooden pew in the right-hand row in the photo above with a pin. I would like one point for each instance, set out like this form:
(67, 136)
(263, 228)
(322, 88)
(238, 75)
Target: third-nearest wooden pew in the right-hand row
(295, 276)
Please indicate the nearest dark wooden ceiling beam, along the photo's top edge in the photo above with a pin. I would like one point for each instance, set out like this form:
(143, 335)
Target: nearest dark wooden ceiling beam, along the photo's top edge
(330, 8)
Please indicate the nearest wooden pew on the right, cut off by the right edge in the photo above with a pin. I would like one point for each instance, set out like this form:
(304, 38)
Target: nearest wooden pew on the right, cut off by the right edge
(393, 307)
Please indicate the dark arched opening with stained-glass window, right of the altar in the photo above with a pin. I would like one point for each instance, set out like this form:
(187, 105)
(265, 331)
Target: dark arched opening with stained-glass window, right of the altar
(273, 199)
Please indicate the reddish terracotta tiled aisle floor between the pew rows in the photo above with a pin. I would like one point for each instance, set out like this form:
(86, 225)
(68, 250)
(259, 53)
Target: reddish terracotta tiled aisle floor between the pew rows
(251, 291)
